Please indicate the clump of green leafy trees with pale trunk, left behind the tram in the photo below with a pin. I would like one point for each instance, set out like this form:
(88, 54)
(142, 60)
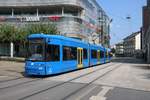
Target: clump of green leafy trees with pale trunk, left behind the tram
(18, 35)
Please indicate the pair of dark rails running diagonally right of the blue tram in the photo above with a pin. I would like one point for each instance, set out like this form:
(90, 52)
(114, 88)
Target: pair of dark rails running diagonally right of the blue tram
(78, 77)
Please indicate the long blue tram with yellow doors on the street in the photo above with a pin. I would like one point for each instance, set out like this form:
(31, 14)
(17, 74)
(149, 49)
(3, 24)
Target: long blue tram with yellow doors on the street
(53, 54)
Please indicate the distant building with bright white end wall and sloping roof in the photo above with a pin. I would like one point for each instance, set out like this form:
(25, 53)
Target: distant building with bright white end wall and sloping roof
(132, 45)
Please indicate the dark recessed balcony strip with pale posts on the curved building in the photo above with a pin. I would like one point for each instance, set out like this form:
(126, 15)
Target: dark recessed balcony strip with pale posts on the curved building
(41, 11)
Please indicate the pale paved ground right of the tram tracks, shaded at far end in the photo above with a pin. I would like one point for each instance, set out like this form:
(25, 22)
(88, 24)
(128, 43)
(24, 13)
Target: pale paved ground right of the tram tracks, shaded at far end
(133, 74)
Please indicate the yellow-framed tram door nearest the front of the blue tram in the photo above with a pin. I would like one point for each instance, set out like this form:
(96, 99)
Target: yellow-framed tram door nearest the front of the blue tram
(80, 57)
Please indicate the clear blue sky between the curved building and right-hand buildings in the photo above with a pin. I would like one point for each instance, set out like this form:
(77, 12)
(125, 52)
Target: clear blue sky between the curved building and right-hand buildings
(118, 10)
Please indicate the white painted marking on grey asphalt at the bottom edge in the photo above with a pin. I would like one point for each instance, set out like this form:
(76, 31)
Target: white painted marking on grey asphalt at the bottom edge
(101, 94)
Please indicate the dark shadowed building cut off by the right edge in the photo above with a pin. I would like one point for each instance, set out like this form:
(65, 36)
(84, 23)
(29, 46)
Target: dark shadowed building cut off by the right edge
(146, 32)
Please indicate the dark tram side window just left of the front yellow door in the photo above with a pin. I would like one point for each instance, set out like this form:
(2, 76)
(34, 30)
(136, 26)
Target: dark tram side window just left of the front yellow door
(69, 53)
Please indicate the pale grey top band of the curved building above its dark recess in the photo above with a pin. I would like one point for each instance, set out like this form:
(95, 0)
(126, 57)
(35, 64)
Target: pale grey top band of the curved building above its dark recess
(32, 3)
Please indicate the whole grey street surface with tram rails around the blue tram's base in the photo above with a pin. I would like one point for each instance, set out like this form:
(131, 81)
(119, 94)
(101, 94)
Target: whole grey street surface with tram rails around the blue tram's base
(122, 79)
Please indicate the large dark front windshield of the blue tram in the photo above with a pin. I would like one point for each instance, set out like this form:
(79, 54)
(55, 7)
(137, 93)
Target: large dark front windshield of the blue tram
(36, 50)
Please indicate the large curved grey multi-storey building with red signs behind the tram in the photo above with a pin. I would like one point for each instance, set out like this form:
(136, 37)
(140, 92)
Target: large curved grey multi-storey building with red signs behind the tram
(82, 19)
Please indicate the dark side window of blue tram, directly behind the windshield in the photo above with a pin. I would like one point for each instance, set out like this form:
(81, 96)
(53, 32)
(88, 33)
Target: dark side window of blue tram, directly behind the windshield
(53, 53)
